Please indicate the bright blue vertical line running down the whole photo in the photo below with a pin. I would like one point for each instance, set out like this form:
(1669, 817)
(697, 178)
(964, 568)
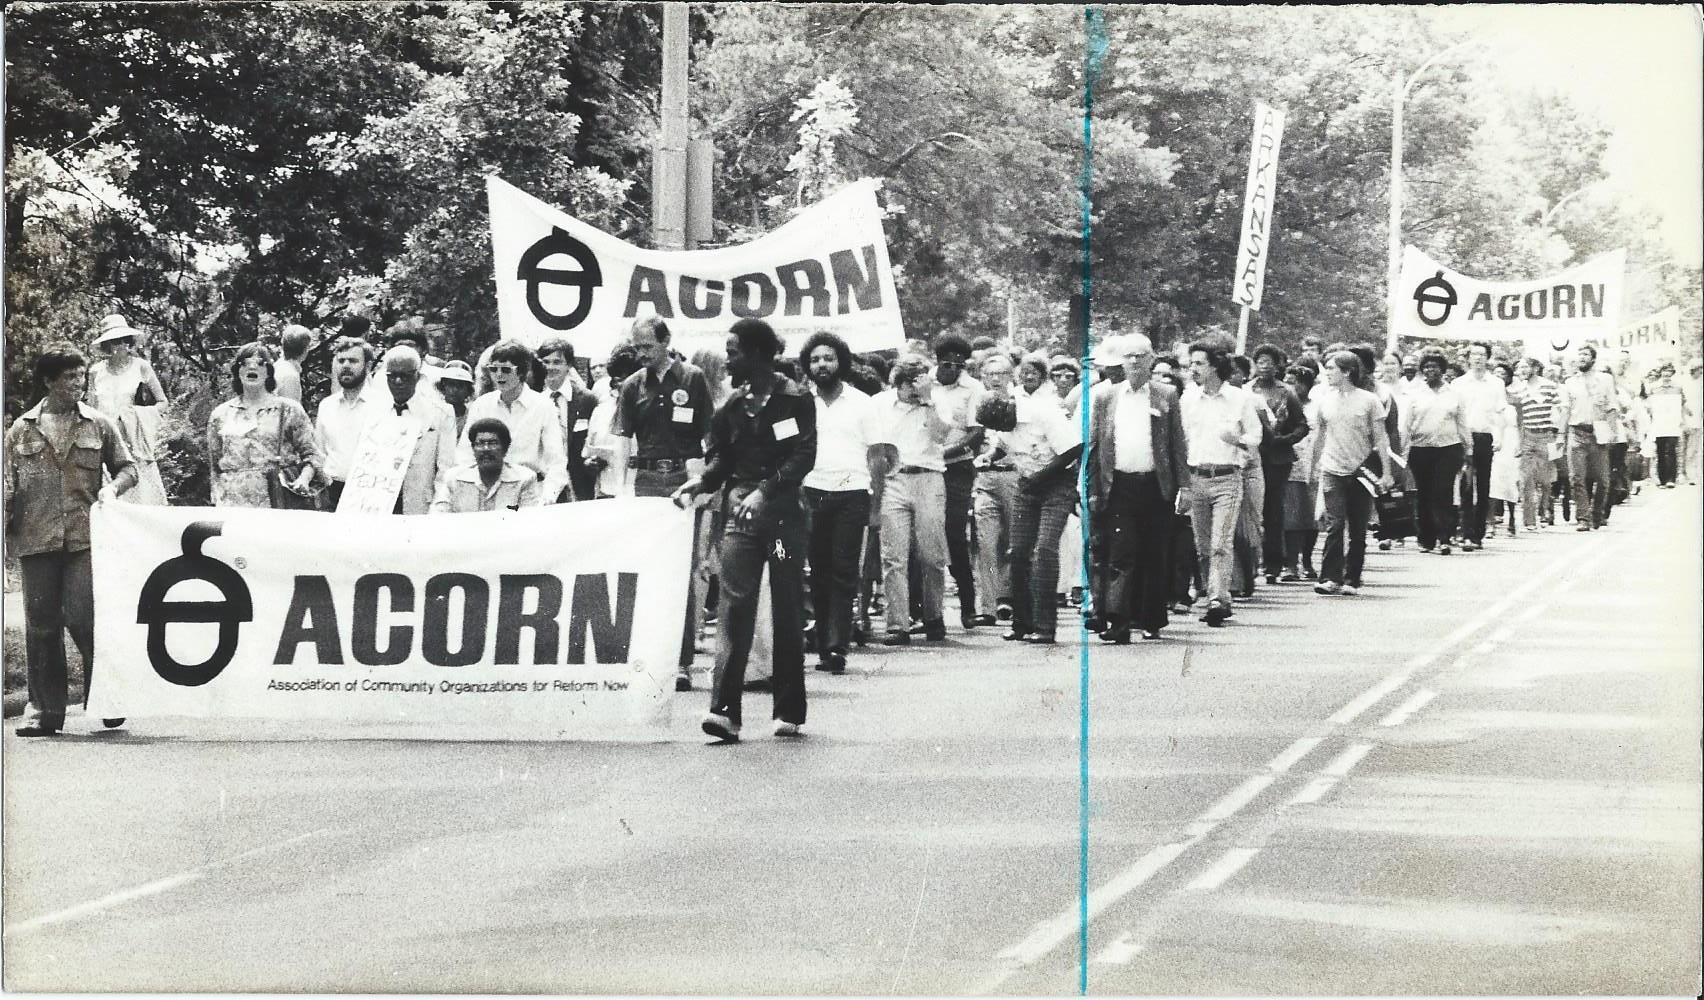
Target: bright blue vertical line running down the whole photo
(1095, 54)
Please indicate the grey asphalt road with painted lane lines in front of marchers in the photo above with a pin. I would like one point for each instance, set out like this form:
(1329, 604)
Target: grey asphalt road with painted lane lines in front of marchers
(1482, 776)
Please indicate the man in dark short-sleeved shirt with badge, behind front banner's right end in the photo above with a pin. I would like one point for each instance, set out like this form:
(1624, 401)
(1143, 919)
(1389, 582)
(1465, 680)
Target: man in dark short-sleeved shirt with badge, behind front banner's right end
(665, 408)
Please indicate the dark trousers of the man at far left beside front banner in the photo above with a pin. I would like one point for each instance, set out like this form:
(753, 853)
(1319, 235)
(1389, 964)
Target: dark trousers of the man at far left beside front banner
(59, 599)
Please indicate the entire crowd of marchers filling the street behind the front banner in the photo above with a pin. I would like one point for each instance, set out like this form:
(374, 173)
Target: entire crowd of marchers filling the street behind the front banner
(846, 502)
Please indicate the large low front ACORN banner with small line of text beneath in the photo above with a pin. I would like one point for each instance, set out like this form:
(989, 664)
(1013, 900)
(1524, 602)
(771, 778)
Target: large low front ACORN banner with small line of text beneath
(527, 621)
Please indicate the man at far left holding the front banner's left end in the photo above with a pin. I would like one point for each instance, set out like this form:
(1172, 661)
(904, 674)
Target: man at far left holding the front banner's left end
(54, 461)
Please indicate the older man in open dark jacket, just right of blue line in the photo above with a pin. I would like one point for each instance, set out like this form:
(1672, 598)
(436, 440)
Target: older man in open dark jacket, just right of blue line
(1137, 464)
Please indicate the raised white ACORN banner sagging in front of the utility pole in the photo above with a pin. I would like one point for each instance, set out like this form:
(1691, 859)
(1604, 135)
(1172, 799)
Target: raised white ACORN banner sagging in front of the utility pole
(826, 270)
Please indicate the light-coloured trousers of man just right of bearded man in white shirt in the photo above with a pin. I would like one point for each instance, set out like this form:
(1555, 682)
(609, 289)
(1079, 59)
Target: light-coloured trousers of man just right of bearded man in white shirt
(912, 522)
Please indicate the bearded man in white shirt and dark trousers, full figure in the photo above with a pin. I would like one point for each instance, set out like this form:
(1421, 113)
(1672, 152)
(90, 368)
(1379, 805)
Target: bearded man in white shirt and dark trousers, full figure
(836, 495)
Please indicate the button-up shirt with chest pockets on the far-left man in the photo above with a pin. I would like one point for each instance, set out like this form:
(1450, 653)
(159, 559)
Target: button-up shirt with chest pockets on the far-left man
(49, 495)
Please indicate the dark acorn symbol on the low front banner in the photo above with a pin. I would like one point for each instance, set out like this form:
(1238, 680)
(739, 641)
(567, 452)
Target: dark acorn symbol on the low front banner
(156, 612)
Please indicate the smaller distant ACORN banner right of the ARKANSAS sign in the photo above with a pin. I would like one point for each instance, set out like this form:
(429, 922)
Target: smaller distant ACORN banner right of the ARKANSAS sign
(1569, 307)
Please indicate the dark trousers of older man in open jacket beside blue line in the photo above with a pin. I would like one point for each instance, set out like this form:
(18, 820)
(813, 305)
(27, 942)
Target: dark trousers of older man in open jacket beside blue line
(1139, 553)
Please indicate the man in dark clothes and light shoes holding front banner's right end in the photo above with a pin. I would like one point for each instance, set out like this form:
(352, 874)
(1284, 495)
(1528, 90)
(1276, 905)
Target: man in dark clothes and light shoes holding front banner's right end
(763, 444)
